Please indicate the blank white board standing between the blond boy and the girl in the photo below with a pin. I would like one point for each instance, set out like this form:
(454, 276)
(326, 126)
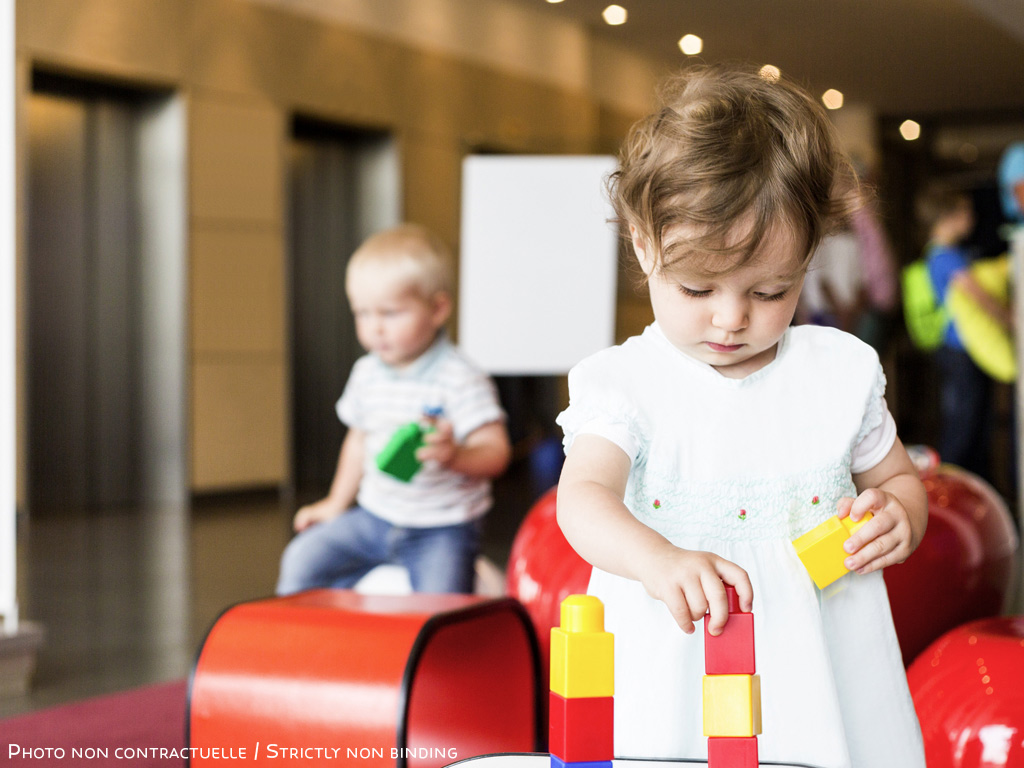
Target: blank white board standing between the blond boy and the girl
(538, 267)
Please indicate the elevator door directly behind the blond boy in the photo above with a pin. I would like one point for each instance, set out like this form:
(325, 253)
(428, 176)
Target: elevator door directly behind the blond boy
(345, 187)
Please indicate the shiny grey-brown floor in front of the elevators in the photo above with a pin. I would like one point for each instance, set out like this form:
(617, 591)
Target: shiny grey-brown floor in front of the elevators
(127, 596)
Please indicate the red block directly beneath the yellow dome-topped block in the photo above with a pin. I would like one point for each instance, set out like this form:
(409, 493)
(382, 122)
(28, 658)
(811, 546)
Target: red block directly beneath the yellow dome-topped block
(581, 730)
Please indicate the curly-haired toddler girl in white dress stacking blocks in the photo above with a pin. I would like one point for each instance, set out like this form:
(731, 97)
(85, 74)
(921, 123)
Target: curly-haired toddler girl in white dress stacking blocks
(700, 450)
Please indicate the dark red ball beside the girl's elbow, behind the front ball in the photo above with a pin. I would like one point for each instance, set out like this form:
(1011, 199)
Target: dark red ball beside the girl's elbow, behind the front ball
(964, 568)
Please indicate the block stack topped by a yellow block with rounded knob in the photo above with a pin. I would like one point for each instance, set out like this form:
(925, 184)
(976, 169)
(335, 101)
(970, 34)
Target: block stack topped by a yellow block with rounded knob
(582, 687)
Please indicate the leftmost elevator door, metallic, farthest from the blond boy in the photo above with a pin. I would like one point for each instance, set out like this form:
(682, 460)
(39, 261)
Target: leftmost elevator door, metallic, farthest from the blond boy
(105, 281)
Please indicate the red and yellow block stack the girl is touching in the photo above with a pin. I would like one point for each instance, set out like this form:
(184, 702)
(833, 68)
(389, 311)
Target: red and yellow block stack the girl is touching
(732, 692)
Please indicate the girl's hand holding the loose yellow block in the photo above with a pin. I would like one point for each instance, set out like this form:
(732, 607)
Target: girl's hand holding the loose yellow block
(886, 540)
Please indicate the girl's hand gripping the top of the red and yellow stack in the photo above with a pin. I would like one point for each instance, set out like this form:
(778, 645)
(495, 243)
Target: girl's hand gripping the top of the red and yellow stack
(691, 584)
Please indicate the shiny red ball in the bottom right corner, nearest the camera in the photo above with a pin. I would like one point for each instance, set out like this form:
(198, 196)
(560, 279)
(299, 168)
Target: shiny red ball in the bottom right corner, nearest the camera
(968, 689)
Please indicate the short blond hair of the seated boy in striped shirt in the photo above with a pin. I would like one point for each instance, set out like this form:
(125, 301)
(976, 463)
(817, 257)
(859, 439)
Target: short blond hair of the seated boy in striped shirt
(410, 253)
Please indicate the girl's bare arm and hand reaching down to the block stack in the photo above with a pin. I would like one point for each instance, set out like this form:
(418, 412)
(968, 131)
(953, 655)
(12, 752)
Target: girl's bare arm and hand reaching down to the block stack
(606, 534)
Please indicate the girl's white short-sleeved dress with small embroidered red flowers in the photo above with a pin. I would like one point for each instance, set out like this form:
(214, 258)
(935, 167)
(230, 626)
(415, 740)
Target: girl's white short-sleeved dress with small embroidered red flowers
(742, 467)
